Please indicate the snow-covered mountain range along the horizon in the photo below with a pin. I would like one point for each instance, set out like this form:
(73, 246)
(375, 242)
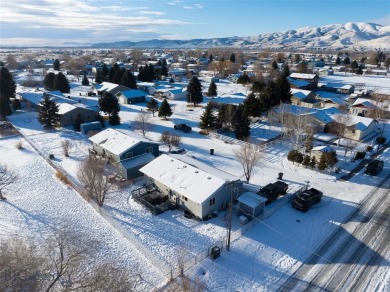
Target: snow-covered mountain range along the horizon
(352, 36)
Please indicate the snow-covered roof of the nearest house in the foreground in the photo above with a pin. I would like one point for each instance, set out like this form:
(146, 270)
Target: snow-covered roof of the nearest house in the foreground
(182, 178)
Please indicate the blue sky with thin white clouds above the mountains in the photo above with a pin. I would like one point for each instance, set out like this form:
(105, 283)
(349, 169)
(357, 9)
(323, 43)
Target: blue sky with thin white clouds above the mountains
(71, 22)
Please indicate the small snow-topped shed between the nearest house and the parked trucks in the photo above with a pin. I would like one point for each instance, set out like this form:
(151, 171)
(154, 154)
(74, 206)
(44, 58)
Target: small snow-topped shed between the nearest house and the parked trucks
(251, 204)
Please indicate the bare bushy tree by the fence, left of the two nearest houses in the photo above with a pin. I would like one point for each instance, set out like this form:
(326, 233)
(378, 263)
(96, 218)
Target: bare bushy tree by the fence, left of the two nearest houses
(91, 175)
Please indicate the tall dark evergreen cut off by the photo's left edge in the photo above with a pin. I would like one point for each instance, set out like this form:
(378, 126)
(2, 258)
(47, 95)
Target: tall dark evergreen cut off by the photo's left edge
(7, 91)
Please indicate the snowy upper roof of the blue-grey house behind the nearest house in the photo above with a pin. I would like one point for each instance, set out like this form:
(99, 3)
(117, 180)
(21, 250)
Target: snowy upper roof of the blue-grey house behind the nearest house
(115, 141)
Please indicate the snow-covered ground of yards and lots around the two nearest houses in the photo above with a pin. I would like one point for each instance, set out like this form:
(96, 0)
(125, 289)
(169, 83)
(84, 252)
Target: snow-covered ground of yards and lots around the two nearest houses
(258, 260)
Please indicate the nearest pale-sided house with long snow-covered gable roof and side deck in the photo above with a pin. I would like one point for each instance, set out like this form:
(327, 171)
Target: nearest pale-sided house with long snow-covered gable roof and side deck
(193, 185)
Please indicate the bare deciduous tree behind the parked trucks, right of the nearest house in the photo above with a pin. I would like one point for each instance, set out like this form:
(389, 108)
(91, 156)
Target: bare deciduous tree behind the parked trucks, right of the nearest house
(249, 156)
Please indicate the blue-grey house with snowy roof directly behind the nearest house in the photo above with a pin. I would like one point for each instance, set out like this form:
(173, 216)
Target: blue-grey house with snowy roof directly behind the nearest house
(126, 151)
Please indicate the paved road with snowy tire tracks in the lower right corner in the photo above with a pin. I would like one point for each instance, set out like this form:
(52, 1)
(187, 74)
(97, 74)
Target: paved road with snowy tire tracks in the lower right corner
(357, 250)
